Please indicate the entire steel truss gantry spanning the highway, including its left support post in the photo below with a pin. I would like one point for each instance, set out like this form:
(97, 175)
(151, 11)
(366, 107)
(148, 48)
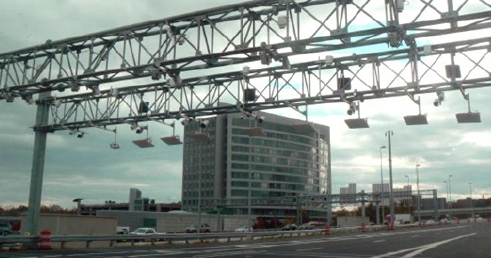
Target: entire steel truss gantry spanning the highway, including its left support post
(268, 46)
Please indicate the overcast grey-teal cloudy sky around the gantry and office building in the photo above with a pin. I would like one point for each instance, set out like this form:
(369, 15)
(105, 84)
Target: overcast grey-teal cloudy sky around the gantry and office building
(88, 168)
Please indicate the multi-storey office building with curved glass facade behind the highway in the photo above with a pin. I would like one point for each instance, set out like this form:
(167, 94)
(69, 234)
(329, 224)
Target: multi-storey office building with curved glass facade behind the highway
(292, 158)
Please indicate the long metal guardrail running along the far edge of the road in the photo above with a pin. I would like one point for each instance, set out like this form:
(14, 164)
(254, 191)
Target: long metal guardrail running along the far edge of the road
(183, 237)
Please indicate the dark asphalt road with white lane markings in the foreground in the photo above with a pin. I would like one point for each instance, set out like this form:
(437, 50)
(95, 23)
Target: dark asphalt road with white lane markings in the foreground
(463, 240)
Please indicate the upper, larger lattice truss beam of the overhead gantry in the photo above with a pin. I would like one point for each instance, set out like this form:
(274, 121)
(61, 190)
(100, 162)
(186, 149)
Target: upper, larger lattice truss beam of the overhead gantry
(221, 36)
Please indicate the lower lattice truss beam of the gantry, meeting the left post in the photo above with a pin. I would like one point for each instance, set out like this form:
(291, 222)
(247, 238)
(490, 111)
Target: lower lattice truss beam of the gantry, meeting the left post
(407, 72)
